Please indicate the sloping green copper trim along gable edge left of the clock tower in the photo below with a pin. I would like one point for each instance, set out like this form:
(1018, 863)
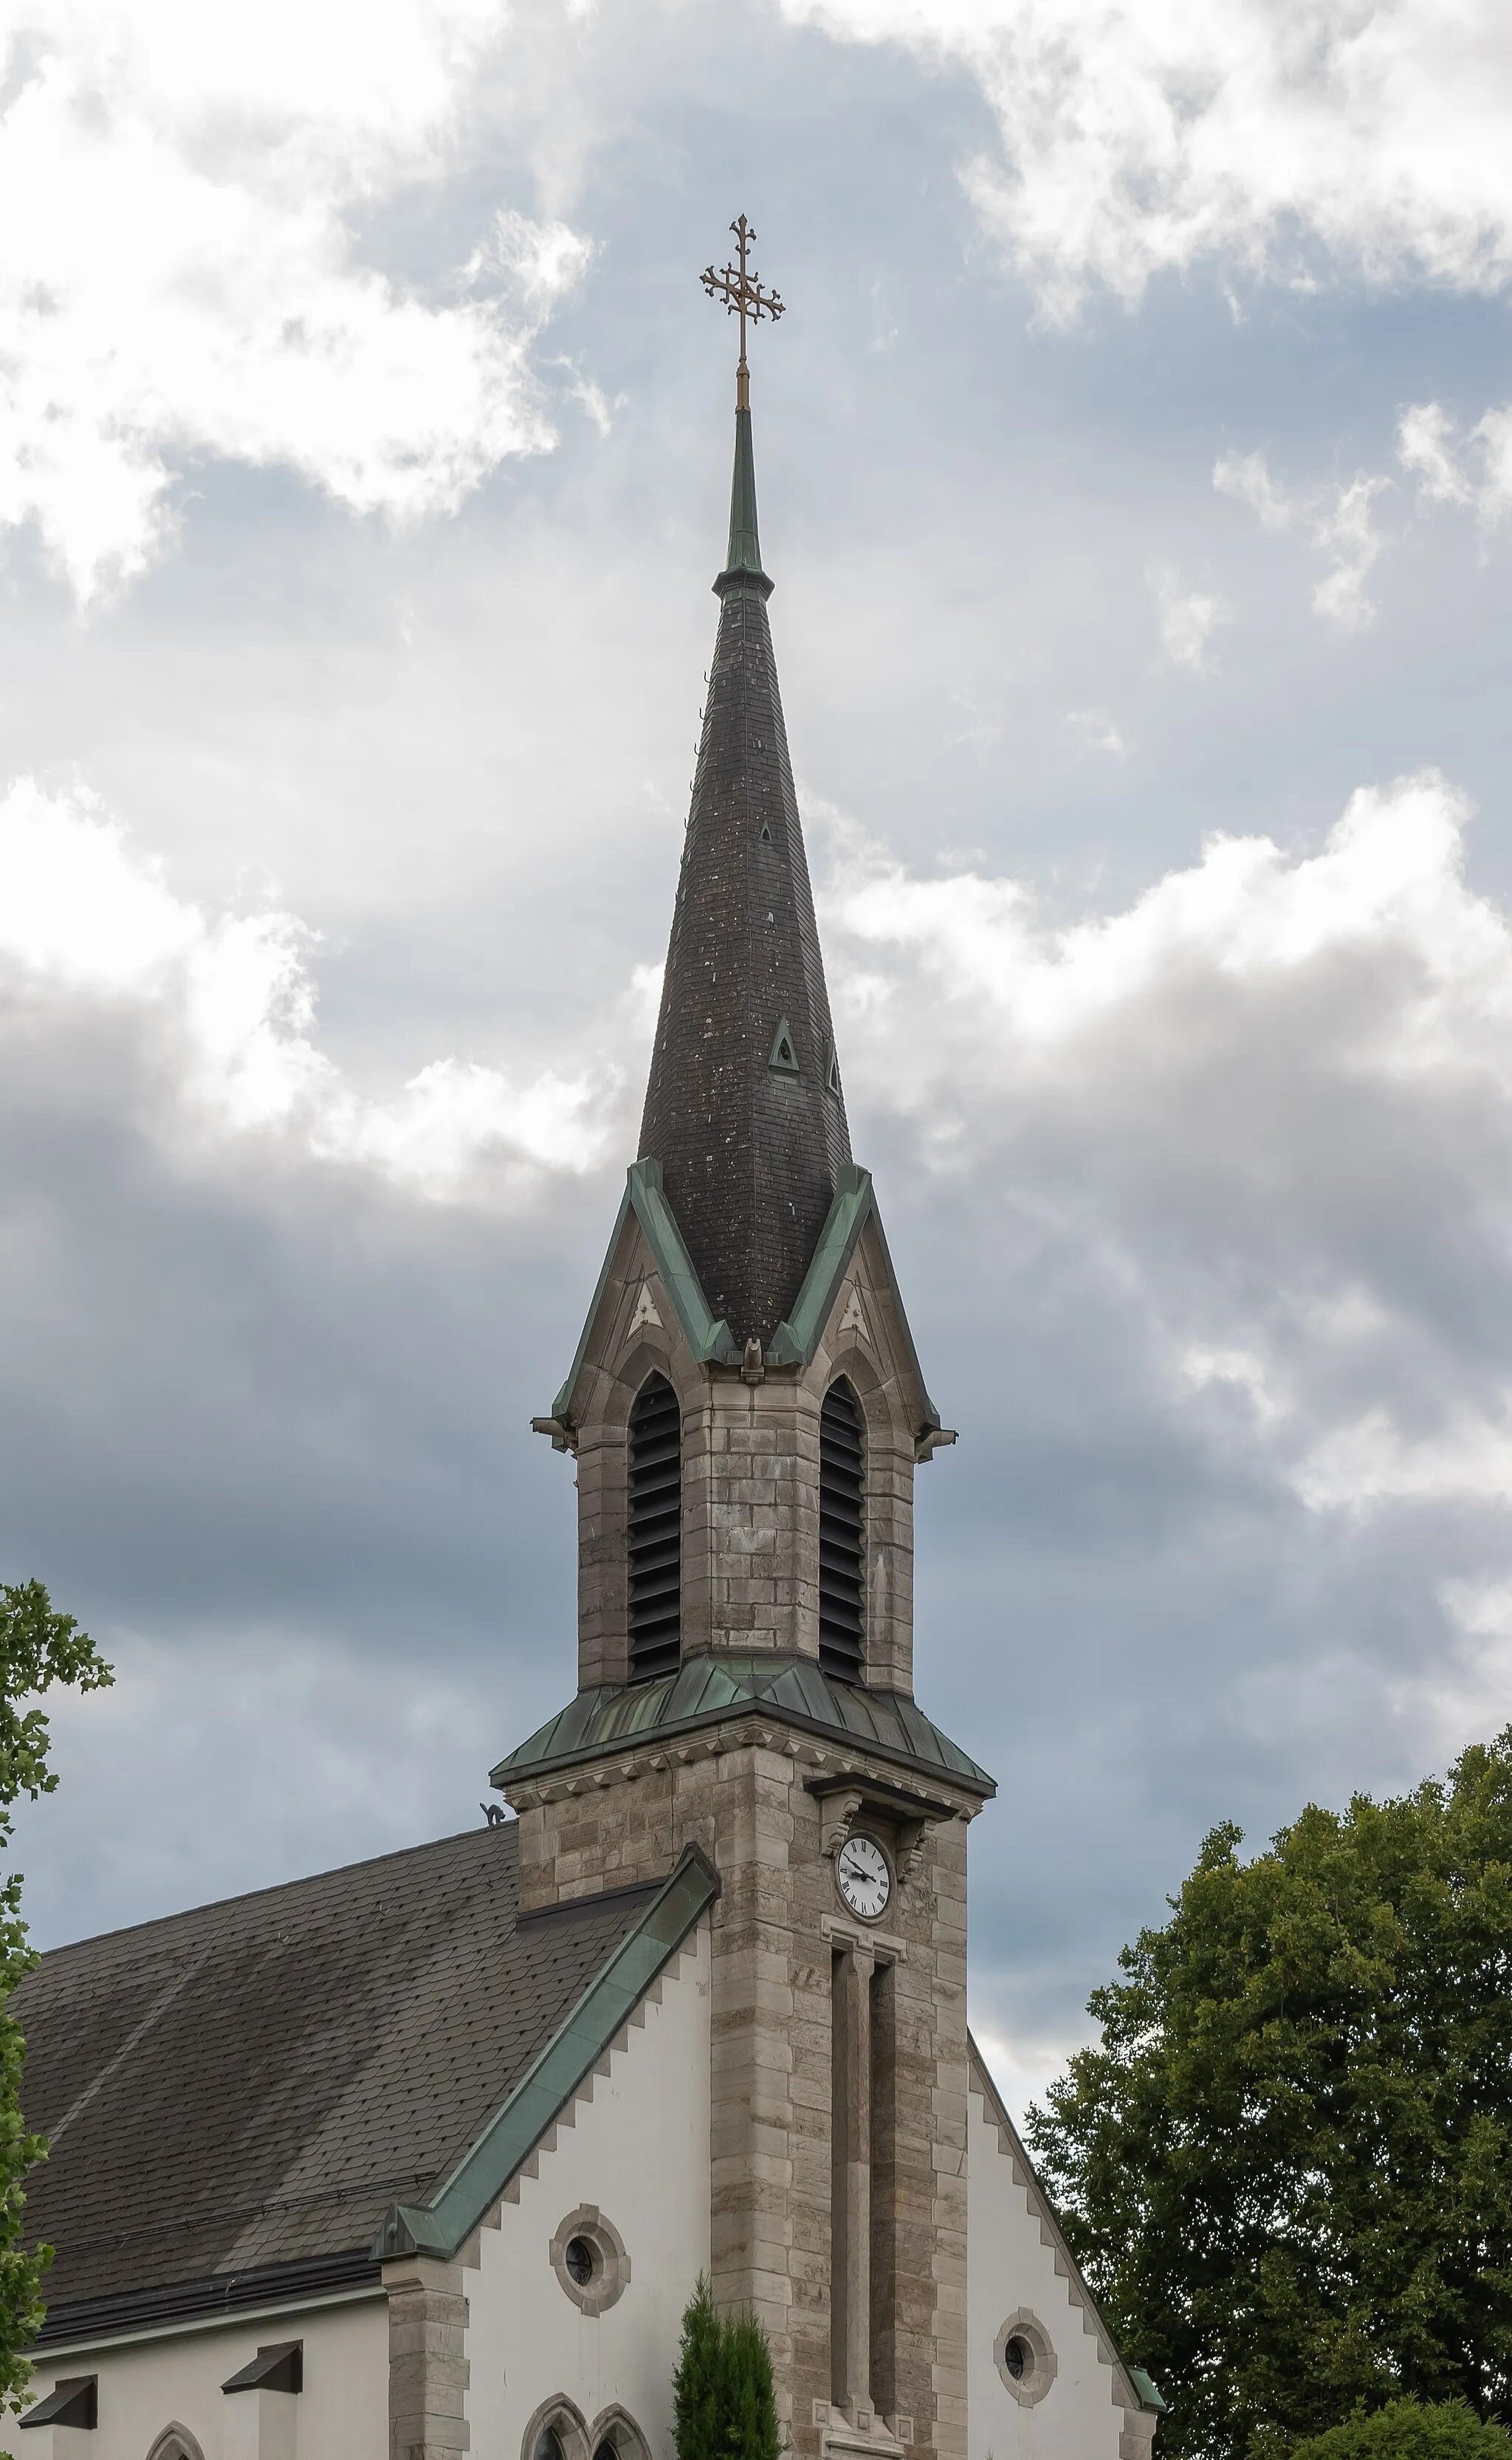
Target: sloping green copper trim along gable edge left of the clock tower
(616, 1991)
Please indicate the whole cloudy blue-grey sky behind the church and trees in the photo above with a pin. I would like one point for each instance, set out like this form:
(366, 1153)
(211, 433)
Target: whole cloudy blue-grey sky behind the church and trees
(1137, 474)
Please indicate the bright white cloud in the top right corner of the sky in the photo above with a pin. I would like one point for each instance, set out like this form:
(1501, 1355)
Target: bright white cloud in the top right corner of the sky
(1149, 134)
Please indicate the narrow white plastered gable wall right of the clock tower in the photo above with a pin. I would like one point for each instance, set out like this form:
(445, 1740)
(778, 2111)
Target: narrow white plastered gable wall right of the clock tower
(1014, 2264)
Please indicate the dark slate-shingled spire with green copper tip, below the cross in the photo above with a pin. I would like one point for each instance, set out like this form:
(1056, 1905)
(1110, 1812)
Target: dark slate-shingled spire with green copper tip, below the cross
(744, 1108)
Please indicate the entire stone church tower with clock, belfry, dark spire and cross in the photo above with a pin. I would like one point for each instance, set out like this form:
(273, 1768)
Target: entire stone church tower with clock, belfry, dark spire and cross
(746, 1411)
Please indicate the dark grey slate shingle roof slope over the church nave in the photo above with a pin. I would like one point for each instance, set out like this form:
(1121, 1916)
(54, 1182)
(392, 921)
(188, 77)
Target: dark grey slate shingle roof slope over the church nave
(257, 2082)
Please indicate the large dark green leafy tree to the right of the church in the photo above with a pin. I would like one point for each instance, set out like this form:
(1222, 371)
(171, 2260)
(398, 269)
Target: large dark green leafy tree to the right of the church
(1287, 2166)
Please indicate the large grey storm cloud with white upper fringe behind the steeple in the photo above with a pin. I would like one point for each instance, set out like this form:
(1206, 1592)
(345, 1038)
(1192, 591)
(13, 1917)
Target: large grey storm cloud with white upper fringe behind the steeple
(1201, 1219)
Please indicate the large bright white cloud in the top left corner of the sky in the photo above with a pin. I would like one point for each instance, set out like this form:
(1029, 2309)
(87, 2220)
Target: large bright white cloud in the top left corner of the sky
(178, 191)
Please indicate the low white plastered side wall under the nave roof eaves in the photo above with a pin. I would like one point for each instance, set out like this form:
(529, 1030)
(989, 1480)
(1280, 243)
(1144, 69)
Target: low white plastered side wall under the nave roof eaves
(144, 2387)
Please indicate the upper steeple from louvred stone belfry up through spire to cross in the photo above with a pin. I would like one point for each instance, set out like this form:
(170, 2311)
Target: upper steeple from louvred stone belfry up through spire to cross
(746, 1403)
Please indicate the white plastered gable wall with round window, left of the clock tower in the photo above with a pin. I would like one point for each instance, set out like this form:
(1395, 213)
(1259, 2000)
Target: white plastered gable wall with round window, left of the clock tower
(636, 2144)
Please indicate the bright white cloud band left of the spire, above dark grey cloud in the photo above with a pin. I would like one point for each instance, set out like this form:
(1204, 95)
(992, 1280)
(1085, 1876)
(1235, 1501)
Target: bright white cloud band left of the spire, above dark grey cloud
(87, 919)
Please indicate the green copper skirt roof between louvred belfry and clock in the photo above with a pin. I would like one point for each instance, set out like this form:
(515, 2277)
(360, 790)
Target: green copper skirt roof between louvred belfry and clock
(707, 1691)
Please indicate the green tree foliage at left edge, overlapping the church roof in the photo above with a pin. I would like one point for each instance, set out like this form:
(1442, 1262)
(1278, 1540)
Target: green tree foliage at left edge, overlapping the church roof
(38, 1652)
